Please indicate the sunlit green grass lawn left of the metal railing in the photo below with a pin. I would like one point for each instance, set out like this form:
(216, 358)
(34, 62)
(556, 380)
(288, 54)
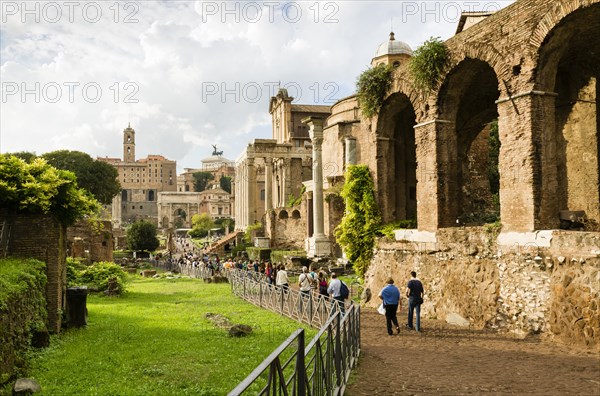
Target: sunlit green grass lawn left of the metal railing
(155, 340)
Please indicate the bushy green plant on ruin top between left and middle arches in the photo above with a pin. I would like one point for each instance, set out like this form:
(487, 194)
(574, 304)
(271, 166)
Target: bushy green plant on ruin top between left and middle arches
(428, 63)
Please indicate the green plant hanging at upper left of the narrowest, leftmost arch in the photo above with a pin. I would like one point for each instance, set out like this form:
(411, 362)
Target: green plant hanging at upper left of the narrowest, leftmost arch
(371, 87)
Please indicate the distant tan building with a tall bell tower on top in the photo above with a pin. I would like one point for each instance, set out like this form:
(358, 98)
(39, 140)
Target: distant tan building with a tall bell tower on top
(141, 181)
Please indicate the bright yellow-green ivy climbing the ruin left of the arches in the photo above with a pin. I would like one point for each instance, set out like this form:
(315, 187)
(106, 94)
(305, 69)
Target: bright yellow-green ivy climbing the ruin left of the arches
(360, 224)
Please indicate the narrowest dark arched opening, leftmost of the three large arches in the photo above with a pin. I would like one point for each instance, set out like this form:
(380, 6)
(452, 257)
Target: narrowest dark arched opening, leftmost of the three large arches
(397, 163)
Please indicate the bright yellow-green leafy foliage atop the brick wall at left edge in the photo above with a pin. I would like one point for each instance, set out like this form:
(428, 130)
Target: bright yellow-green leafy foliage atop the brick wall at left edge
(39, 188)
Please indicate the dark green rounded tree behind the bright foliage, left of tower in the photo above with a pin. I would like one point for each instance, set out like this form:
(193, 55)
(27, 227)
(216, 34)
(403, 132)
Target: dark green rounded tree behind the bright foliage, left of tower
(99, 178)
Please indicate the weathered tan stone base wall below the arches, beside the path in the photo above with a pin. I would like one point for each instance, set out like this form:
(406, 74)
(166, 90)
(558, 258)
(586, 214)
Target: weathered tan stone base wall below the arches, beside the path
(521, 288)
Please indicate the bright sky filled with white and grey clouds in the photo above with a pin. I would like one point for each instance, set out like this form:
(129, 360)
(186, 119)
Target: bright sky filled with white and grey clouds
(187, 74)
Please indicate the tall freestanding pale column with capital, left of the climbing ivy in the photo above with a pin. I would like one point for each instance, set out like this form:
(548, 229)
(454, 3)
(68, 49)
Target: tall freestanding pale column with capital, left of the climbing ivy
(319, 245)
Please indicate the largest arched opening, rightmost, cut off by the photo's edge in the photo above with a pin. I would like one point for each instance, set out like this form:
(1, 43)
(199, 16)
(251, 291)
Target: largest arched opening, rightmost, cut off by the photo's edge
(569, 60)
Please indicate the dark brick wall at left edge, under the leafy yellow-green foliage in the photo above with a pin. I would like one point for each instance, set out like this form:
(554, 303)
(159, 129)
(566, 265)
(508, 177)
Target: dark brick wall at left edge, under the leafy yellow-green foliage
(42, 237)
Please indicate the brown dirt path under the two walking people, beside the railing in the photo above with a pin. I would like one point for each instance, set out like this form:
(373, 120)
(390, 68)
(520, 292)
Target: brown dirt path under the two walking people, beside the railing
(446, 360)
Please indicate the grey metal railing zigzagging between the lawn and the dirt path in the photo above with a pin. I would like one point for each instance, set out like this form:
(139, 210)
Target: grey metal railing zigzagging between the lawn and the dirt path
(325, 364)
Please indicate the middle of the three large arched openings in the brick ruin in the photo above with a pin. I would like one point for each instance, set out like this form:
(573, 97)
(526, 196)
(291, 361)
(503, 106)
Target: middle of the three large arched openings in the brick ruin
(469, 145)
